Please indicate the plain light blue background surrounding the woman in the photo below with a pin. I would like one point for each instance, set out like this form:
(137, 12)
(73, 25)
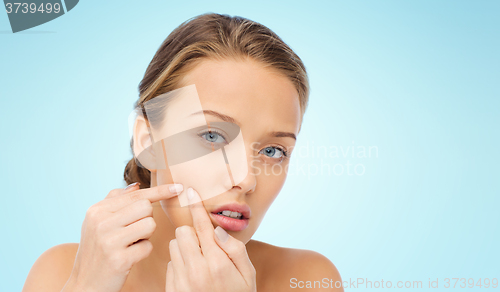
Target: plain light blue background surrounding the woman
(418, 80)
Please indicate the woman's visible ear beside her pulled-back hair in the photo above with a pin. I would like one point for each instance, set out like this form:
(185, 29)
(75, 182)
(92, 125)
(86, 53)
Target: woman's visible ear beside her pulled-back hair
(142, 144)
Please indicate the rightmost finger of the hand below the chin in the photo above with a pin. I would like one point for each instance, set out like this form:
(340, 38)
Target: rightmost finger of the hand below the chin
(236, 251)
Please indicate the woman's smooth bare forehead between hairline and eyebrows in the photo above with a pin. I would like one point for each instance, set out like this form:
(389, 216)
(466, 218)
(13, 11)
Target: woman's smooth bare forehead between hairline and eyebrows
(248, 92)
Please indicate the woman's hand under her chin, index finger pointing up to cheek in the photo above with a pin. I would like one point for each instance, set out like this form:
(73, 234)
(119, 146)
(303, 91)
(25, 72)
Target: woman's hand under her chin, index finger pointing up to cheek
(221, 264)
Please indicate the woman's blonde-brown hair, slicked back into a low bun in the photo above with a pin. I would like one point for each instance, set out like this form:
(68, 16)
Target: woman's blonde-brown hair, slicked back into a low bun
(216, 36)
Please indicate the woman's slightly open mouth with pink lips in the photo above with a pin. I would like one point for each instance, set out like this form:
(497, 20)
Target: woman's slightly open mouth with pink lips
(232, 217)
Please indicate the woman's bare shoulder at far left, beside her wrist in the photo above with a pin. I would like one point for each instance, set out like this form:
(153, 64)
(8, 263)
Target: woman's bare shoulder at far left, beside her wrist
(52, 269)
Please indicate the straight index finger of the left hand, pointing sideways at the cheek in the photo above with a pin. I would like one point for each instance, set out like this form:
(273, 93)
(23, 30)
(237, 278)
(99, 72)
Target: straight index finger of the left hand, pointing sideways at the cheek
(153, 194)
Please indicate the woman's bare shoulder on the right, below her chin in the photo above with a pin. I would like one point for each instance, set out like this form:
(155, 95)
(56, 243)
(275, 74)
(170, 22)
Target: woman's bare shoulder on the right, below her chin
(286, 269)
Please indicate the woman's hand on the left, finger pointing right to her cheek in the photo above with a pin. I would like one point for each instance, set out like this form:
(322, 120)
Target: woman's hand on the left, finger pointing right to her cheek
(115, 236)
